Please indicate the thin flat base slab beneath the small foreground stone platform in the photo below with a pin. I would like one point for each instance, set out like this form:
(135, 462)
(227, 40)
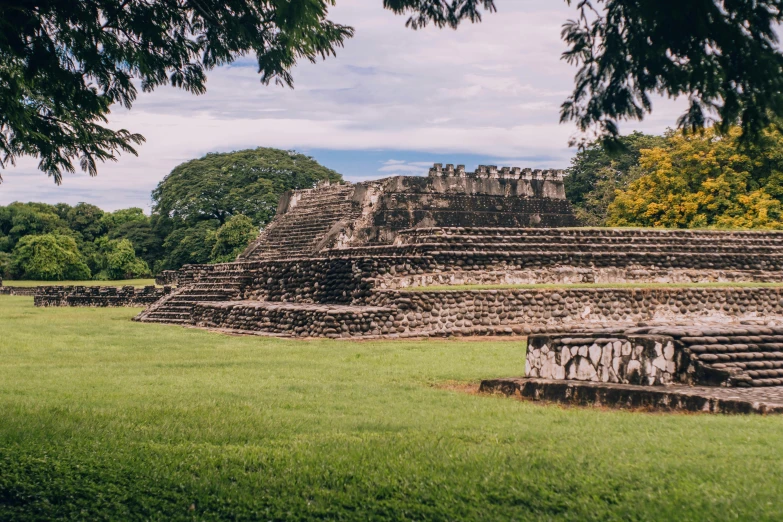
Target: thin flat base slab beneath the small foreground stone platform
(707, 399)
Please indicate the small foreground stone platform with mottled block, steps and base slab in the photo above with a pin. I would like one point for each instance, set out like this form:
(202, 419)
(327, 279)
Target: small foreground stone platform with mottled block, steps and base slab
(673, 367)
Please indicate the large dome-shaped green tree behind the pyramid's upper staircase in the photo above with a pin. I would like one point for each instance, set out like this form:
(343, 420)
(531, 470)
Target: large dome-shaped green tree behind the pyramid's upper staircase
(200, 196)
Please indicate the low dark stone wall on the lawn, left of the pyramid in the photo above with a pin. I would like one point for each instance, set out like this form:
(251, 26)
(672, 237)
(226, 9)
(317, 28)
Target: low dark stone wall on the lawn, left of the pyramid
(98, 296)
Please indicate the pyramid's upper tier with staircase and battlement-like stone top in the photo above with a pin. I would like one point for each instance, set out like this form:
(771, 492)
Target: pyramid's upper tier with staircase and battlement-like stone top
(374, 212)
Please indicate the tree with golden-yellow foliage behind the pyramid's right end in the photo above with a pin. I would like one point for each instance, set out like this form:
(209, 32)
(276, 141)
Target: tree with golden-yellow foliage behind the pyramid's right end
(706, 181)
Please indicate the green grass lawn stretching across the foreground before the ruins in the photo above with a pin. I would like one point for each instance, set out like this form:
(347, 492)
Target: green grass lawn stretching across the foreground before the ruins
(105, 419)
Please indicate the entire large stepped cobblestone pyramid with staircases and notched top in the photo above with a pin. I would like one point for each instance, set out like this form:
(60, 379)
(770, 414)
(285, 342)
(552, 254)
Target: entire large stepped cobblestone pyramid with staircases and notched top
(345, 261)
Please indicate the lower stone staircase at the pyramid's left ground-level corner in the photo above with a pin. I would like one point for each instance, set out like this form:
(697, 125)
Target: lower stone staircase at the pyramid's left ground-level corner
(223, 283)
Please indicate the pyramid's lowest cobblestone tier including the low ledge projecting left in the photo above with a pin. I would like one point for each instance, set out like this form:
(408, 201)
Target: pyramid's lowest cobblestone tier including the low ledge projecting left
(497, 312)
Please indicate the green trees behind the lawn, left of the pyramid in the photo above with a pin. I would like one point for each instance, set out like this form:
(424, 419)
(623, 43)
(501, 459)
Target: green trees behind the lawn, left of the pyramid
(205, 211)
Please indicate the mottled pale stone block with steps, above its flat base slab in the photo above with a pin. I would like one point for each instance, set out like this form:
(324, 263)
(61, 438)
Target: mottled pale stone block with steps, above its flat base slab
(739, 355)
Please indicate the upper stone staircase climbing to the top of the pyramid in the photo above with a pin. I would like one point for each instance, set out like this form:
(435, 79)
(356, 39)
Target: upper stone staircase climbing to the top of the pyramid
(302, 230)
